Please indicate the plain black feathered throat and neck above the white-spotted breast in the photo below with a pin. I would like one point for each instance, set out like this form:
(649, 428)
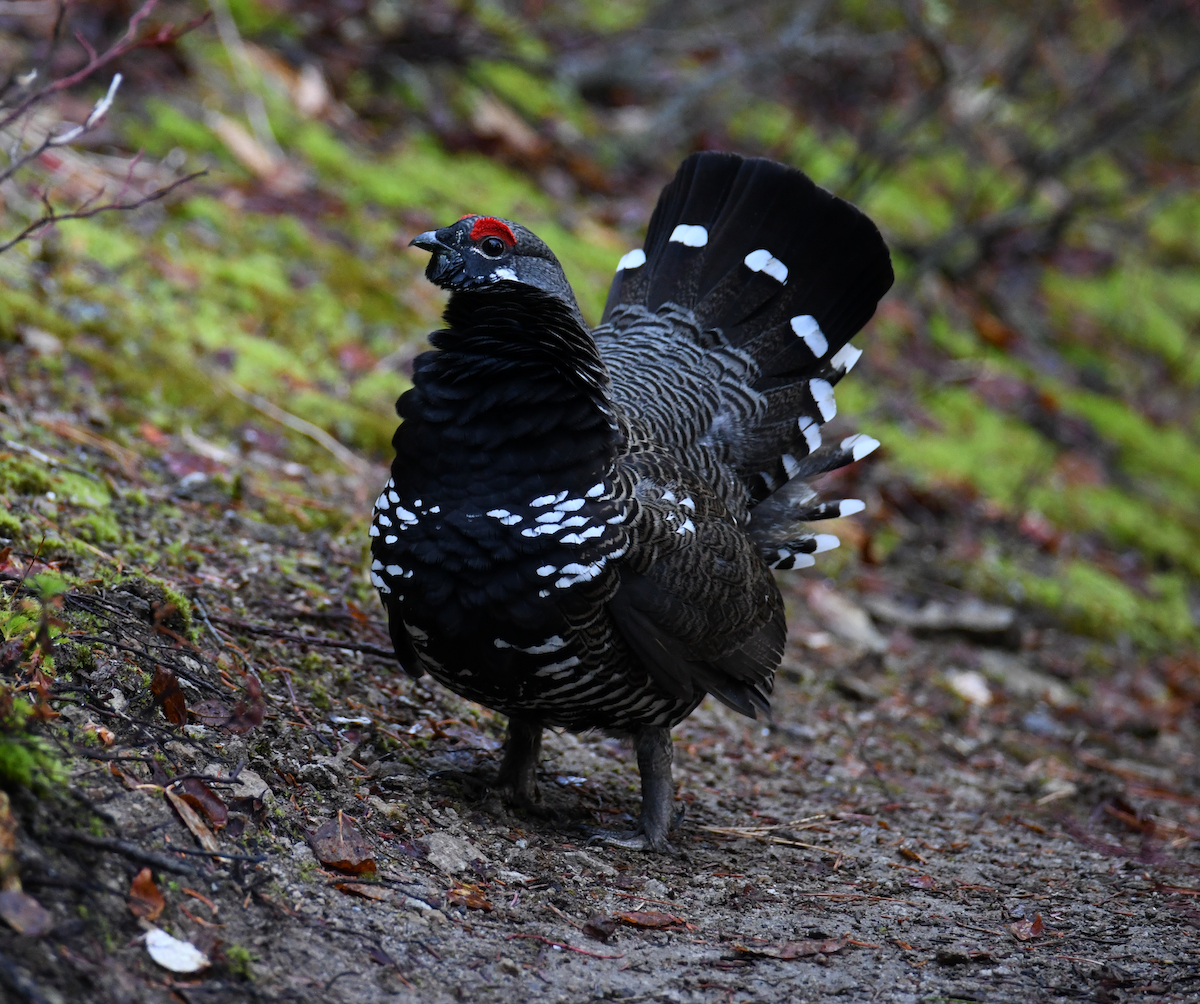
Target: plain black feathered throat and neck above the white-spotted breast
(514, 395)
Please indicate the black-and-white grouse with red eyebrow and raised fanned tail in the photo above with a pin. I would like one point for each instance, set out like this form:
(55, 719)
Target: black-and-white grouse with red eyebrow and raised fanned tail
(583, 526)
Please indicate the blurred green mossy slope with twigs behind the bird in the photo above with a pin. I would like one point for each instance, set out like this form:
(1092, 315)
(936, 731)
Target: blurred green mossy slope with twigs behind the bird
(1034, 167)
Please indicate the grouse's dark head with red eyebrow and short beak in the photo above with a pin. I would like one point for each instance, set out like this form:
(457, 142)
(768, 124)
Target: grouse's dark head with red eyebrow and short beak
(481, 252)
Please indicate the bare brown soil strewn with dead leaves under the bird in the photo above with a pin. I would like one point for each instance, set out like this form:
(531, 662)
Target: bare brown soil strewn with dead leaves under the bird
(1003, 814)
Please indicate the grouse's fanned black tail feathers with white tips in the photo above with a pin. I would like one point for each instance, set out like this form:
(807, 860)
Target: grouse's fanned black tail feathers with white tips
(787, 274)
